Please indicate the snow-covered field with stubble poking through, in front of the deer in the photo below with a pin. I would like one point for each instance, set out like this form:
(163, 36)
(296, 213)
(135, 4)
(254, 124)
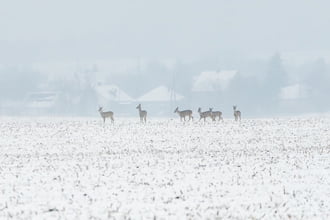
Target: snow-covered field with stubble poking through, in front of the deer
(63, 168)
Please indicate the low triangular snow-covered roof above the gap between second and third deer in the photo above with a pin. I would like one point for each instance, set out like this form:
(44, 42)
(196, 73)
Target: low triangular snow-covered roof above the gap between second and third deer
(160, 94)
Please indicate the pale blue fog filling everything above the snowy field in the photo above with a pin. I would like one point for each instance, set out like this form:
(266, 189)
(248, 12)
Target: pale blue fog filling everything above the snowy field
(269, 58)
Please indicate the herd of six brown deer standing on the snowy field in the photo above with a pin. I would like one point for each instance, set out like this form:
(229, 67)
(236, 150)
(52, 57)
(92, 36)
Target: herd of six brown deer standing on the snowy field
(183, 114)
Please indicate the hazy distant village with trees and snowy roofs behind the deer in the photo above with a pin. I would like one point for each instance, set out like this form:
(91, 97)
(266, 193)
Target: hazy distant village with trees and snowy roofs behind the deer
(161, 90)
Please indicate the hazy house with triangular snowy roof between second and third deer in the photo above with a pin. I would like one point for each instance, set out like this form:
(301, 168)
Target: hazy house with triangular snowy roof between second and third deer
(160, 101)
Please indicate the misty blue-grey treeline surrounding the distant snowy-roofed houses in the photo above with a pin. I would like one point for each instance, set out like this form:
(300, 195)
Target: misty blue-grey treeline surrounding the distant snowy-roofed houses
(256, 88)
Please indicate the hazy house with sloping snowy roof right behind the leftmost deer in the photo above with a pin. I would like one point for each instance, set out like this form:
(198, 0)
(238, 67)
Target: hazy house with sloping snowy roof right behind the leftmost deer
(110, 96)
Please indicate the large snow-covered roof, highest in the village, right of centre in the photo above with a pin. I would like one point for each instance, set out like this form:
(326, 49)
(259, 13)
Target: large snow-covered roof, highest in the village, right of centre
(208, 81)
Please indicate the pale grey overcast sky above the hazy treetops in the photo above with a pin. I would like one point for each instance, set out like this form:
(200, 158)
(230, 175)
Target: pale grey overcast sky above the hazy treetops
(37, 31)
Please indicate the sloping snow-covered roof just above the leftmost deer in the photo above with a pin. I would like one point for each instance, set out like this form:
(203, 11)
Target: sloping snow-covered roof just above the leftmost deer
(112, 92)
